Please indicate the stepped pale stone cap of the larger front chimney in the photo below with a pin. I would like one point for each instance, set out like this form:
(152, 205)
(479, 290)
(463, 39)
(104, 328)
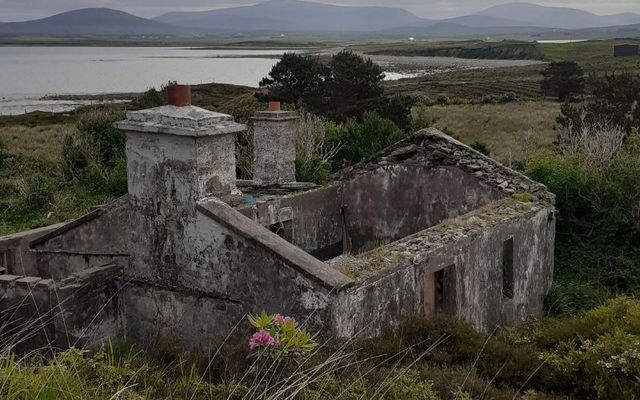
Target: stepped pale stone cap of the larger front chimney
(181, 121)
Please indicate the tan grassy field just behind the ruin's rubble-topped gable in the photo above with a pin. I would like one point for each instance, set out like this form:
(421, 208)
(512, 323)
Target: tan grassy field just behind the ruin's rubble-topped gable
(512, 131)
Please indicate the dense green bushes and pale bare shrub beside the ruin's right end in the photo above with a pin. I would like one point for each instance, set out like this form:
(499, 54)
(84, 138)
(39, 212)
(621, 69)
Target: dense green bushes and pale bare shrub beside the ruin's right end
(594, 172)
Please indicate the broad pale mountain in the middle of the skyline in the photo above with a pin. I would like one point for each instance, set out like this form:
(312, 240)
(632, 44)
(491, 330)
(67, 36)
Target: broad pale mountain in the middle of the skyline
(296, 16)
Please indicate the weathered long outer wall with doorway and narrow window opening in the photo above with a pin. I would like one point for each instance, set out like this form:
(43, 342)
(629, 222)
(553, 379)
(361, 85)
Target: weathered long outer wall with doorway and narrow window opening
(472, 253)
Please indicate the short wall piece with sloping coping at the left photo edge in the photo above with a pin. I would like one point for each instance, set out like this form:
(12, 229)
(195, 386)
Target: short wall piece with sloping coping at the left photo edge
(15, 253)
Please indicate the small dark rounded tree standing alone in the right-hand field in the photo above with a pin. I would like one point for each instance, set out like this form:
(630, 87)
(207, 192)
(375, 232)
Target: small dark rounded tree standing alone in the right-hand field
(563, 80)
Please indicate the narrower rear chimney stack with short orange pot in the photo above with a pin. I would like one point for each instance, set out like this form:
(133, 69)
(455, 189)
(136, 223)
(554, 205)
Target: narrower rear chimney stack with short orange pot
(274, 152)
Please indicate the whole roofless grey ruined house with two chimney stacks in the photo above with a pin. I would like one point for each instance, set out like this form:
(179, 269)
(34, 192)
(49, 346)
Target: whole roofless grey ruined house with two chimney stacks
(426, 226)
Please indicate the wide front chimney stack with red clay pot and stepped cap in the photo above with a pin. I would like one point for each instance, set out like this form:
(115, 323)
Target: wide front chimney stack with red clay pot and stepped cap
(179, 153)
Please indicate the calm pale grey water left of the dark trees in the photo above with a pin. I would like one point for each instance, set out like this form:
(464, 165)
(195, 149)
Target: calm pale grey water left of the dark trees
(28, 73)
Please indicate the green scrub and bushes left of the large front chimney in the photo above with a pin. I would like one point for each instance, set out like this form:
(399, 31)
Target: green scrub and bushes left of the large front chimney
(60, 172)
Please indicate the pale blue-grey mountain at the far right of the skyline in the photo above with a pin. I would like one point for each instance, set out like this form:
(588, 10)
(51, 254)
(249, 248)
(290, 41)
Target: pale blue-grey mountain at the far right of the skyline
(528, 14)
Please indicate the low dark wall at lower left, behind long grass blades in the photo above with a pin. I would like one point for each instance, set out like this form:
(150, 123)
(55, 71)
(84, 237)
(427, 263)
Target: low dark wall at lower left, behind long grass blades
(45, 315)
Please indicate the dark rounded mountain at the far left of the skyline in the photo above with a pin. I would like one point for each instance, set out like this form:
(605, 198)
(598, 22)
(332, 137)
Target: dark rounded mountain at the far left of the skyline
(91, 21)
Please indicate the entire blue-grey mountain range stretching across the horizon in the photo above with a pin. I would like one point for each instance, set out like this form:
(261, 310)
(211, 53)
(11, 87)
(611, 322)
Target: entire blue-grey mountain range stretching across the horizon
(294, 16)
